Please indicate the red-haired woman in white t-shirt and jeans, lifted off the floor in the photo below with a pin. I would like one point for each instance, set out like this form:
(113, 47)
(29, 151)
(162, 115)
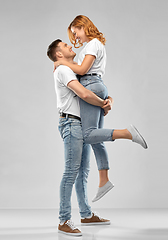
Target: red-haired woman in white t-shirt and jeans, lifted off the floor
(90, 69)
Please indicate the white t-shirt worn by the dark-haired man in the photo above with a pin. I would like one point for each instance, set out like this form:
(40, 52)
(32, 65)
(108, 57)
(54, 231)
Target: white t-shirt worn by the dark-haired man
(67, 100)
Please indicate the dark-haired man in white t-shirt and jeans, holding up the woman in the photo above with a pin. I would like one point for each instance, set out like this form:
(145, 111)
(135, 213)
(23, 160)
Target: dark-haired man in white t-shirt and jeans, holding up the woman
(76, 151)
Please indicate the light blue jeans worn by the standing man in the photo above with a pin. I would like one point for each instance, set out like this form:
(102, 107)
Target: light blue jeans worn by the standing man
(76, 168)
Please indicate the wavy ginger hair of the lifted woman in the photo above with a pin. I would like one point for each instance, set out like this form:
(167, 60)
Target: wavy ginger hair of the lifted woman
(90, 29)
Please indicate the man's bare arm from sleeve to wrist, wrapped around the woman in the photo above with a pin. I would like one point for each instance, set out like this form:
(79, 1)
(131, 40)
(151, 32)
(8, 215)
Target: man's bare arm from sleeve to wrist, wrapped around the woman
(87, 95)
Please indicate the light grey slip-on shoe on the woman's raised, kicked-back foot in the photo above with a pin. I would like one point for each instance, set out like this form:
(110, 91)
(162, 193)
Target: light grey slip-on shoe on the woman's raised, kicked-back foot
(136, 136)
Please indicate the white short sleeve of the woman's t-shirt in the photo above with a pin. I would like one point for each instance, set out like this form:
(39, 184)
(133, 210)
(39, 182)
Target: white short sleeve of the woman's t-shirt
(93, 48)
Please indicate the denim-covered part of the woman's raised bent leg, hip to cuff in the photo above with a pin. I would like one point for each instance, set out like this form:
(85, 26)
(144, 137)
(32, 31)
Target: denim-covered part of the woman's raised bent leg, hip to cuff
(92, 116)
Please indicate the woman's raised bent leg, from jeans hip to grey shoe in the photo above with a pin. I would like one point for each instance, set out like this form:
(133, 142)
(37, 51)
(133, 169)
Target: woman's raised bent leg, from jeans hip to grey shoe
(93, 134)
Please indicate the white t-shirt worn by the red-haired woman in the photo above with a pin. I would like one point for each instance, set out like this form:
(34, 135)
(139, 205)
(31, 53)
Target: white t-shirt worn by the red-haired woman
(97, 49)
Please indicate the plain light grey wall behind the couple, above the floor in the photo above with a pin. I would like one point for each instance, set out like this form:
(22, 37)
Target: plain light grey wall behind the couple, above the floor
(31, 150)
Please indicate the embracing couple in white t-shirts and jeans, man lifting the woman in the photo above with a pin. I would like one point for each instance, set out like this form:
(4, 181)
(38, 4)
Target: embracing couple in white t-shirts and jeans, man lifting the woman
(83, 101)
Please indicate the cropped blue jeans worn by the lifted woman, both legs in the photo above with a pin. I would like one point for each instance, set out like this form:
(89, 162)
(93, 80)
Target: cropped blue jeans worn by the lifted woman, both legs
(92, 118)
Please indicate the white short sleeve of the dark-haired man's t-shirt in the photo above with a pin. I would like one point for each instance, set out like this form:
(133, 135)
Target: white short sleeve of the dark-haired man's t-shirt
(66, 75)
